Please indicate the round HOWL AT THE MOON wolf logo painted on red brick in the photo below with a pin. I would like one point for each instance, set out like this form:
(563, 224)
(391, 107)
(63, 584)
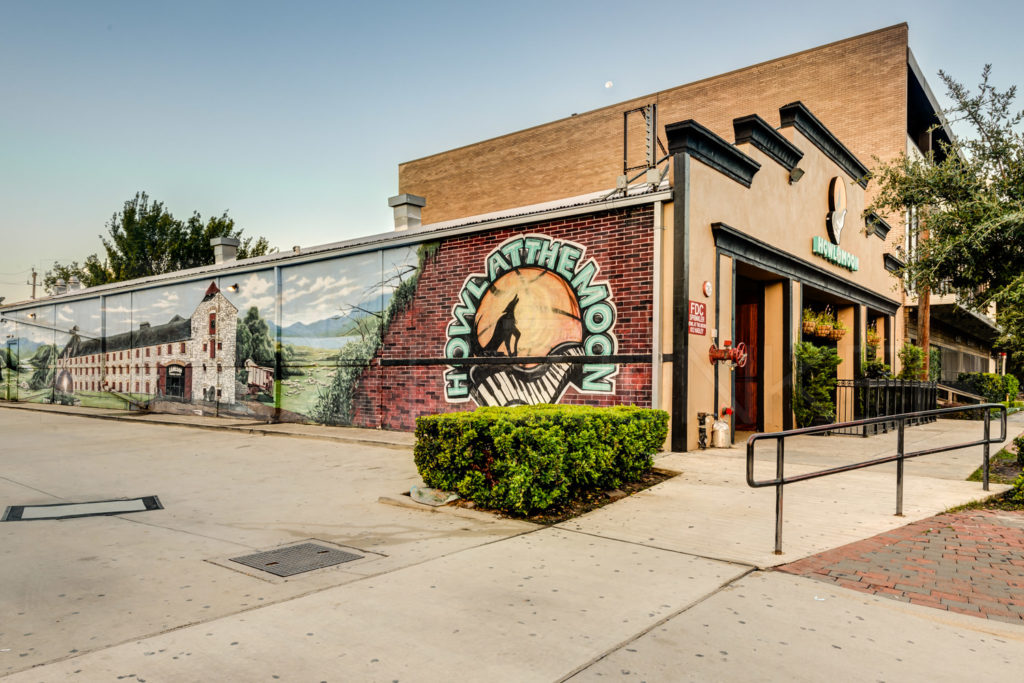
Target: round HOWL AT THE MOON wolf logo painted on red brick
(538, 300)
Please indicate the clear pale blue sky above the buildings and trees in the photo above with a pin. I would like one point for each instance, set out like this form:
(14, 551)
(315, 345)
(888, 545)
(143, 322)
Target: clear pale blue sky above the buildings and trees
(294, 116)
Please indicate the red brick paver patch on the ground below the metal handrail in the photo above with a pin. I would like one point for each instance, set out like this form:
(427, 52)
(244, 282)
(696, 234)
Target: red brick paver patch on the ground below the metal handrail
(970, 563)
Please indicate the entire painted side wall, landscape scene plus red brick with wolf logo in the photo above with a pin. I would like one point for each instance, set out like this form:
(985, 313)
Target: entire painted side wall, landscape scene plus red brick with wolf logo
(557, 312)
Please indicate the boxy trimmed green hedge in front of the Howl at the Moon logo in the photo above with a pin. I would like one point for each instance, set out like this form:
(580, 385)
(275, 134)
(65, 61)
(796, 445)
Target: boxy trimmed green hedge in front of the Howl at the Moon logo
(529, 458)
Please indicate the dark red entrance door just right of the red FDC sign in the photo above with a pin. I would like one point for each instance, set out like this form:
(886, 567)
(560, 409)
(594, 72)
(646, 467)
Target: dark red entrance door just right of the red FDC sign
(750, 297)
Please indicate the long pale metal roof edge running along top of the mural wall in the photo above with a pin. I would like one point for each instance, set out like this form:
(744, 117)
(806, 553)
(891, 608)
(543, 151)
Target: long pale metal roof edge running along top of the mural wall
(568, 207)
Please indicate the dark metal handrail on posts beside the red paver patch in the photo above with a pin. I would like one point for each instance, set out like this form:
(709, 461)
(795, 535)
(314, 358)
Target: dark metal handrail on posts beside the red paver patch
(902, 420)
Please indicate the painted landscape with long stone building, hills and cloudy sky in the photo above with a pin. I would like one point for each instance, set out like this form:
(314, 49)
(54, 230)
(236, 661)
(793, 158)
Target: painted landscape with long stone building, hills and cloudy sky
(289, 344)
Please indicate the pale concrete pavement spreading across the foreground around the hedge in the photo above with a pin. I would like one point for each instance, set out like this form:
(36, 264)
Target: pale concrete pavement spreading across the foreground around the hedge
(660, 586)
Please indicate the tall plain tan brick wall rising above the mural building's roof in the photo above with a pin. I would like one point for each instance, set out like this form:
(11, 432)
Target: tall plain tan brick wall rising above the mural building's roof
(858, 89)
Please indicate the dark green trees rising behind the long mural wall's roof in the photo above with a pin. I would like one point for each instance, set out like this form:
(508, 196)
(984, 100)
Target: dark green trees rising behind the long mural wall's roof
(145, 239)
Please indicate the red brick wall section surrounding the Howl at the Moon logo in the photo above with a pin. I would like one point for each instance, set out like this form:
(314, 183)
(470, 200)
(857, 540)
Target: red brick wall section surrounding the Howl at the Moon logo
(621, 242)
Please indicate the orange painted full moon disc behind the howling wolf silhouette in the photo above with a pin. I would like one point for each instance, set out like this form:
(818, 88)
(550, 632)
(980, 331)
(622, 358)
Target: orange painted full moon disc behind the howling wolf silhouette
(546, 315)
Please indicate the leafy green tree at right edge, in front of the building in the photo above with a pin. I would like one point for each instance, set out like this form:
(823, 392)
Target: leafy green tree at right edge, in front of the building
(972, 204)
